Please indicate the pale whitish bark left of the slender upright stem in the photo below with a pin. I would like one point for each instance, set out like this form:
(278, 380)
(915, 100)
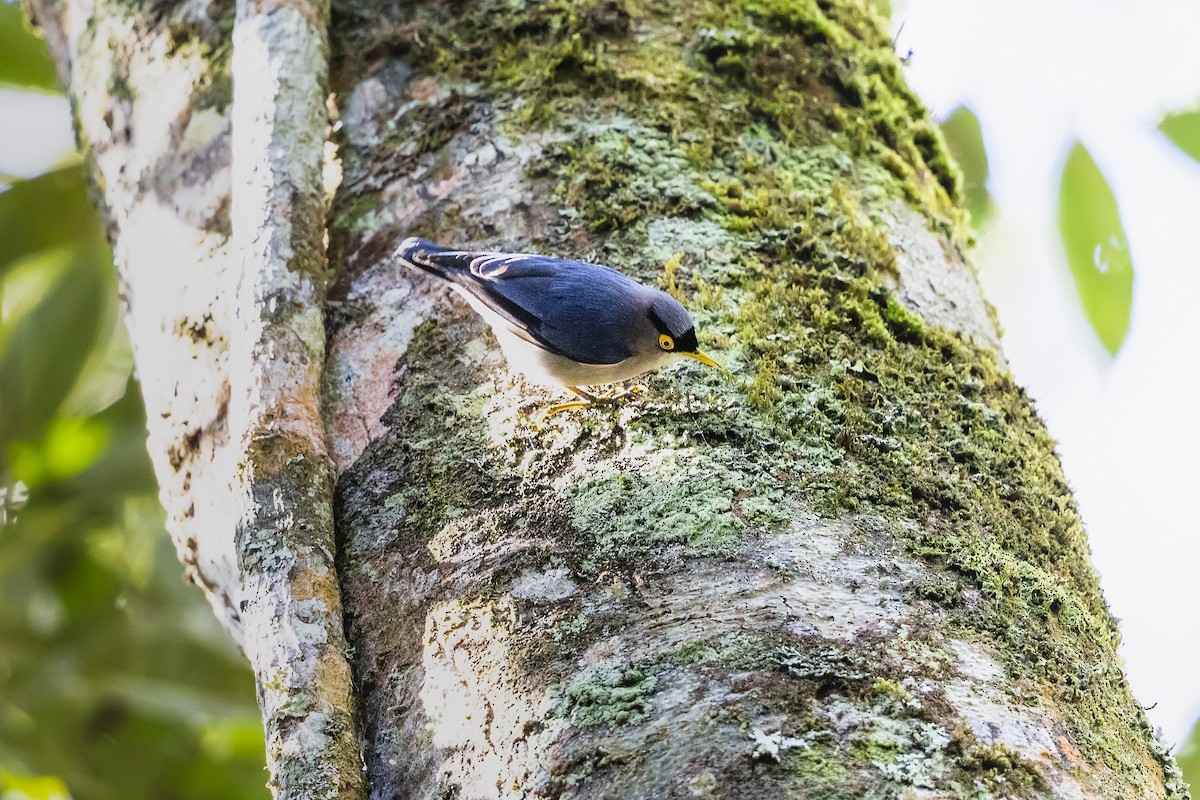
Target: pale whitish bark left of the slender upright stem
(151, 87)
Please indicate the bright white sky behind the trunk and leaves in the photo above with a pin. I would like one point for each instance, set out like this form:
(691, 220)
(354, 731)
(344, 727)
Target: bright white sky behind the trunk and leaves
(1040, 73)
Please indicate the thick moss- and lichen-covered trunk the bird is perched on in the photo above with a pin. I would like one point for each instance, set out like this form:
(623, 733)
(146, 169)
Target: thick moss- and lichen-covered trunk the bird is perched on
(856, 570)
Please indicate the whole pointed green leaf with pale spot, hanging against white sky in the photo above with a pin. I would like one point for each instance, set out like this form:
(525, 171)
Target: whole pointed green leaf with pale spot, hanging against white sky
(1097, 249)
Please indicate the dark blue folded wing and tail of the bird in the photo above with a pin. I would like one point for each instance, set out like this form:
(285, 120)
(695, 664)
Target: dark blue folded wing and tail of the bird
(521, 288)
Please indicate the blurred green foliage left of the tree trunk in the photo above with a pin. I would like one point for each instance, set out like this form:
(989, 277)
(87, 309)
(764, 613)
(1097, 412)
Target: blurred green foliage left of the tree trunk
(117, 682)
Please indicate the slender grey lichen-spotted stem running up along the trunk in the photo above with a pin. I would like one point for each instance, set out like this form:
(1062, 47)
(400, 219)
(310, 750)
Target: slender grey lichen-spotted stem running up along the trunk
(291, 601)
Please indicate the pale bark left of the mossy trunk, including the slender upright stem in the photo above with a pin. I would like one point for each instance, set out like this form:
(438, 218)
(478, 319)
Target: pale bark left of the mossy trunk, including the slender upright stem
(218, 216)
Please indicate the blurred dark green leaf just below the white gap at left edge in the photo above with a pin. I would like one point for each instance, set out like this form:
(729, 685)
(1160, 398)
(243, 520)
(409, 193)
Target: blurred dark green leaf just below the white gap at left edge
(46, 212)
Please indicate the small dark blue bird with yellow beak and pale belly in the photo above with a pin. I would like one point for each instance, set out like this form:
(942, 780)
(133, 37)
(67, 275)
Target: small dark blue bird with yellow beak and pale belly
(565, 323)
